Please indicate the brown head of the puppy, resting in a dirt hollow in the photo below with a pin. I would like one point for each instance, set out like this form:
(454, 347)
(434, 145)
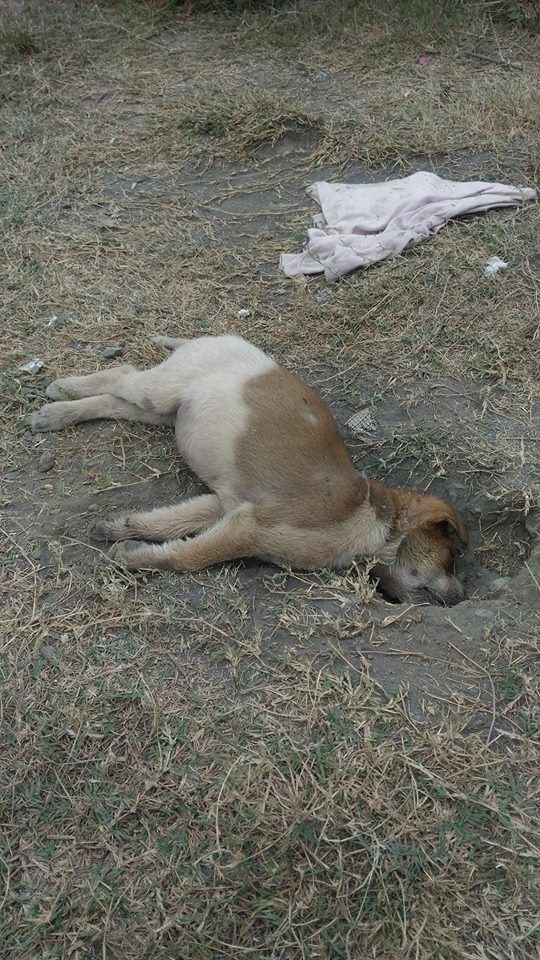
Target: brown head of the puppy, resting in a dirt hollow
(423, 569)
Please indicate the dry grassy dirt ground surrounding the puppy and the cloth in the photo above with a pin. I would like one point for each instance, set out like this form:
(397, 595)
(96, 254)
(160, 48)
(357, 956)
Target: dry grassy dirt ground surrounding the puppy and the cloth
(250, 761)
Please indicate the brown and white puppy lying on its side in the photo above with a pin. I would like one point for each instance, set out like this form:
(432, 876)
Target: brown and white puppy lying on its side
(284, 488)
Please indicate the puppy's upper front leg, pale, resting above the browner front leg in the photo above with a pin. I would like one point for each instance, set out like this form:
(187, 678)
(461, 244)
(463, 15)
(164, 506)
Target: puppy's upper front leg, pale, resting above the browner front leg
(164, 523)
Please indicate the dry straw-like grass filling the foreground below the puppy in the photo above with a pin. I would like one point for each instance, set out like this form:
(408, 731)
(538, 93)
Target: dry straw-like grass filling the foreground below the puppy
(145, 814)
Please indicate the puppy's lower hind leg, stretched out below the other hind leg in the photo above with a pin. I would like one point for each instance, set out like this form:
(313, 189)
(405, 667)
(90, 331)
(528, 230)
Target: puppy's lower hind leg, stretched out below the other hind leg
(56, 416)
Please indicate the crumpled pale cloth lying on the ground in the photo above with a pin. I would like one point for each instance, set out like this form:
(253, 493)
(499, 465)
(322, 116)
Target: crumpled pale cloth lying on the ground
(361, 223)
